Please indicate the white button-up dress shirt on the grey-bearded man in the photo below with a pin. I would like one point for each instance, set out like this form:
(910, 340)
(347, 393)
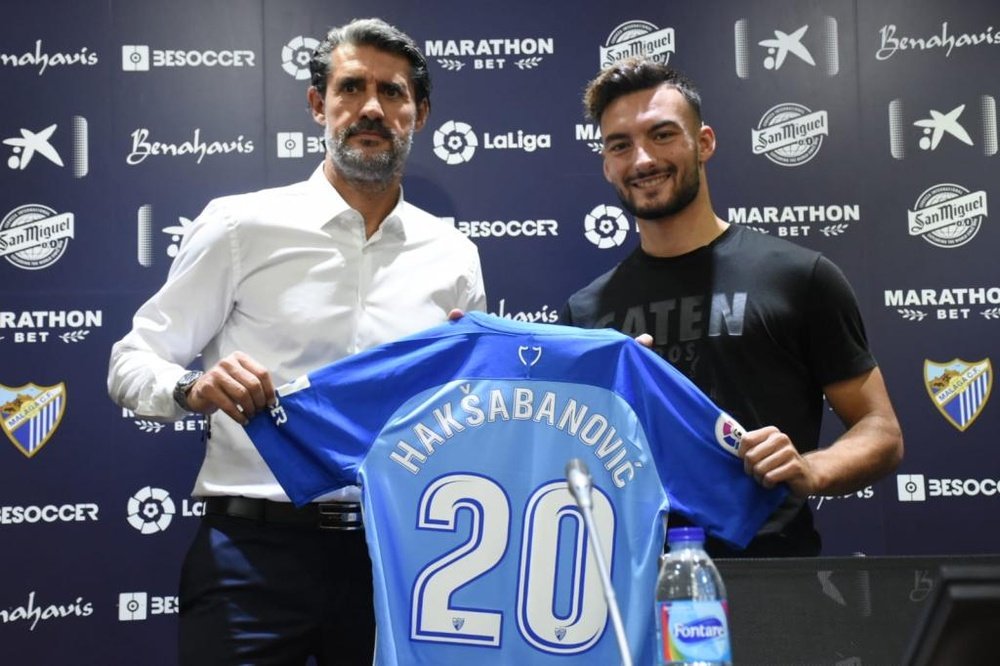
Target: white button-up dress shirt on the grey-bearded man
(286, 276)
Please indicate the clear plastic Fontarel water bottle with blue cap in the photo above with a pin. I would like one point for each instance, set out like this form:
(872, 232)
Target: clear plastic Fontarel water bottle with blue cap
(691, 624)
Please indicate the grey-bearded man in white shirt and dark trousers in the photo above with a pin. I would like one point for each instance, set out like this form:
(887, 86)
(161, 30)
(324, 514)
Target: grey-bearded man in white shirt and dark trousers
(268, 286)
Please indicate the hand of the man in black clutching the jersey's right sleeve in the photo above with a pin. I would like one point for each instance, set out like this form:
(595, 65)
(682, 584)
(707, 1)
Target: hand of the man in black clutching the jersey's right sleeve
(770, 457)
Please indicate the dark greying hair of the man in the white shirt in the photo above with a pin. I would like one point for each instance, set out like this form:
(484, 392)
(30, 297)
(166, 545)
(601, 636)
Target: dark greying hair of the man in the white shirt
(372, 32)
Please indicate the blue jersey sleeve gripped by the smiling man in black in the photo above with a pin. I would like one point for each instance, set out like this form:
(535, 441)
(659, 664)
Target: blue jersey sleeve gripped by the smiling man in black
(694, 446)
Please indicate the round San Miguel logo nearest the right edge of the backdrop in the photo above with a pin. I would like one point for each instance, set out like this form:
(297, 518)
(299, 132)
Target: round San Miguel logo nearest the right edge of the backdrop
(947, 215)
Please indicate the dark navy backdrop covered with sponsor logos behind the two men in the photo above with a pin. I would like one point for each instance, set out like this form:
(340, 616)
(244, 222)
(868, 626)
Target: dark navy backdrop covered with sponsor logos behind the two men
(865, 129)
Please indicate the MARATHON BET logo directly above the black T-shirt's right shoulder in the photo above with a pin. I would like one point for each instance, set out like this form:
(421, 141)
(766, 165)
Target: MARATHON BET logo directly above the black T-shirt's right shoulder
(797, 220)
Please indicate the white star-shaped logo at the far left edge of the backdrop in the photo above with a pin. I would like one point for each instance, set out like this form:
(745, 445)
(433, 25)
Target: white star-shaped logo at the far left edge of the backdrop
(54, 144)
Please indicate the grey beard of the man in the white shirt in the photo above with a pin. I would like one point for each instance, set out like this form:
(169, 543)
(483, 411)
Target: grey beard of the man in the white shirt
(369, 170)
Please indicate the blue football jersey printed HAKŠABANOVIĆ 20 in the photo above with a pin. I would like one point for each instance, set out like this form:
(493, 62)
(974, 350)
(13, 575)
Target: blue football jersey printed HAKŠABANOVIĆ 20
(459, 437)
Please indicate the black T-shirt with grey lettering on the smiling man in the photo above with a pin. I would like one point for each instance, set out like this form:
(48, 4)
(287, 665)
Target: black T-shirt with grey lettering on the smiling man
(758, 323)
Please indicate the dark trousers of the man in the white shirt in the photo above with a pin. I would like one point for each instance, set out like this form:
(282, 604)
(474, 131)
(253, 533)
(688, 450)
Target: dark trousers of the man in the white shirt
(263, 593)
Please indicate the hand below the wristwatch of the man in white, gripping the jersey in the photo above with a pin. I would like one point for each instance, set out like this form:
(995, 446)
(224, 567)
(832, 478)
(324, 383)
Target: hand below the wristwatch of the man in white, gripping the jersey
(237, 385)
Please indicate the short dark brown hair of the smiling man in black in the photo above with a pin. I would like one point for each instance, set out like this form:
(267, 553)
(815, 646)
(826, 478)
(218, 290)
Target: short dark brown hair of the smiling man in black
(631, 75)
